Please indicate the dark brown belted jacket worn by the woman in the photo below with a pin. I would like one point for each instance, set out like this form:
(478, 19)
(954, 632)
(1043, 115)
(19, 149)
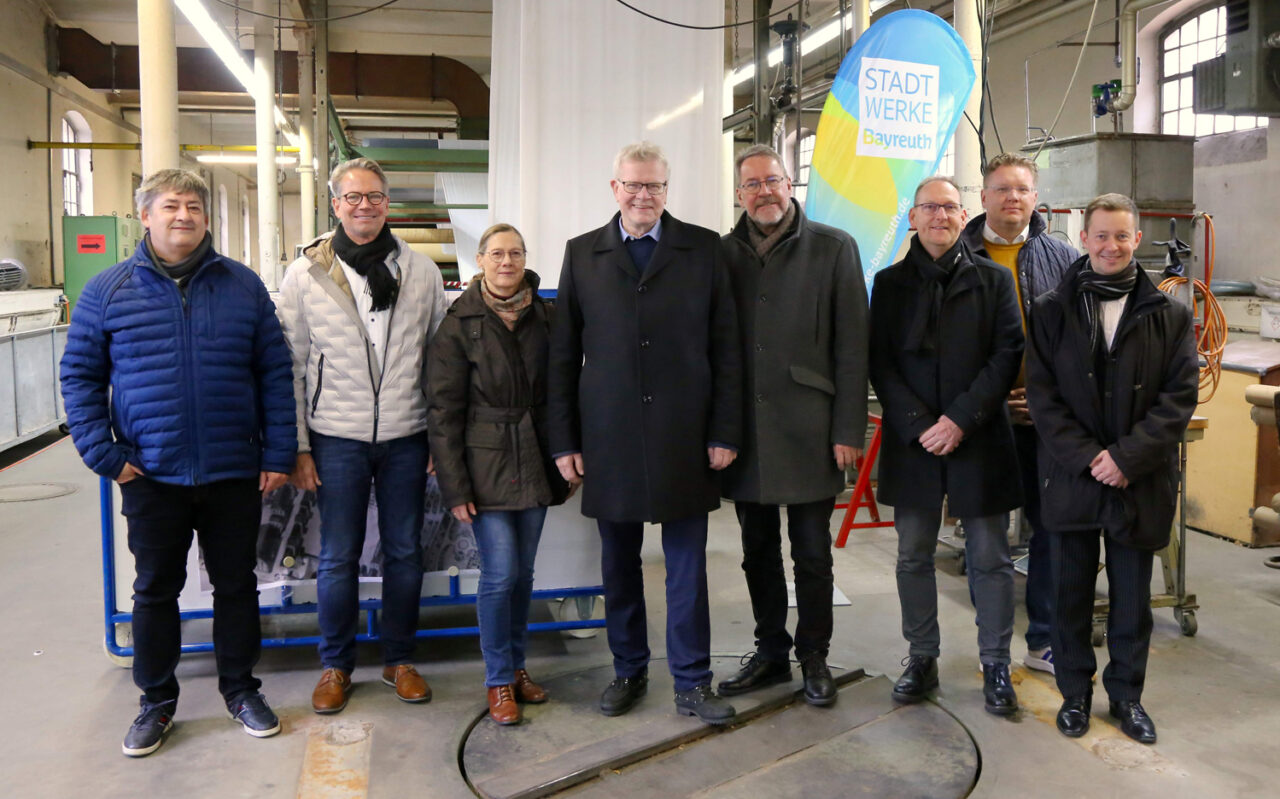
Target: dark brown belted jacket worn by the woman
(487, 407)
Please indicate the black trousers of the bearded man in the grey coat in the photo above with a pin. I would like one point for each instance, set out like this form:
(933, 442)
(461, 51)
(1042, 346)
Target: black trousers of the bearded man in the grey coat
(810, 531)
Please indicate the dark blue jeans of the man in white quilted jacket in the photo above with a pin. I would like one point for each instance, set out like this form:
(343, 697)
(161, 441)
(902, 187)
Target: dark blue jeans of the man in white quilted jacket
(396, 472)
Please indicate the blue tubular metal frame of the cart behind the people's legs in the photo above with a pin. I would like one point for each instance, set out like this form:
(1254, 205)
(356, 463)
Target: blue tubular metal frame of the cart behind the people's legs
(113, 617)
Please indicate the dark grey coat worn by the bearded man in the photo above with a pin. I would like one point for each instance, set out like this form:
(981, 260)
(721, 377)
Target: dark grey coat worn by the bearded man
(803, 311)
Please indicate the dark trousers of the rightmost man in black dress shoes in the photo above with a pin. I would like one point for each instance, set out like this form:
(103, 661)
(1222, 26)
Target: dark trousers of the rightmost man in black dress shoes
(1076, 565)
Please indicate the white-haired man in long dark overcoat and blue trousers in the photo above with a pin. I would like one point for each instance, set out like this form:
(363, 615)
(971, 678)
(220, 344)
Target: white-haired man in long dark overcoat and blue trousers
(644, 408)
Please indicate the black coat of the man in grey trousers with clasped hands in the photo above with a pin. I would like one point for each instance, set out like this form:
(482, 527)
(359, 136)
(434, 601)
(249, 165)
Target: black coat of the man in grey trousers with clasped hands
(967, 377)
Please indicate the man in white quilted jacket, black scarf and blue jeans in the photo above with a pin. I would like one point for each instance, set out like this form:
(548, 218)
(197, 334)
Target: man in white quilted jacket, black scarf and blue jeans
(358, 312)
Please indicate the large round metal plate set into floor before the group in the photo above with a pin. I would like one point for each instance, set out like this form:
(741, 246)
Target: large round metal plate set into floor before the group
(781, 747)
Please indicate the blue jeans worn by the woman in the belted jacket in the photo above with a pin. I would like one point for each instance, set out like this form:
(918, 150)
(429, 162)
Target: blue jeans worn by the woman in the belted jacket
(509, 545)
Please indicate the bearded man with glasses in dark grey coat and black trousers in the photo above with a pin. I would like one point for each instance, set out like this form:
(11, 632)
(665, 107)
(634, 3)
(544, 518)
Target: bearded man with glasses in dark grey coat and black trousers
(802, 304)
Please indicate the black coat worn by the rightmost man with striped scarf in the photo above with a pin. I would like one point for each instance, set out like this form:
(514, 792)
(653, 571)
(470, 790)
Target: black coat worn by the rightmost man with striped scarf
(1137, 413)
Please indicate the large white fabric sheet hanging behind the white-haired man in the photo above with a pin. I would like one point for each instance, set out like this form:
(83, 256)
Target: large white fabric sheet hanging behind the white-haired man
(573, 83)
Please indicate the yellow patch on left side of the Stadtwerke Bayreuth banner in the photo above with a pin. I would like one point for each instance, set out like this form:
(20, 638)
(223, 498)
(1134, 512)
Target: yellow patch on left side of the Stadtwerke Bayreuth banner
(866, 181)
